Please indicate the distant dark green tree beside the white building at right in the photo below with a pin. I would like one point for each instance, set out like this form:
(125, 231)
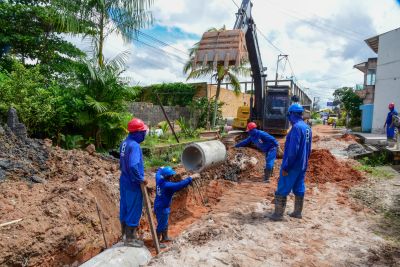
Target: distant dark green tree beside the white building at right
(350, 102)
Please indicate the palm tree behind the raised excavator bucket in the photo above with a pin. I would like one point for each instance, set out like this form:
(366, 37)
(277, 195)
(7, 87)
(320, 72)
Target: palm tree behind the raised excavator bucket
(220, 74)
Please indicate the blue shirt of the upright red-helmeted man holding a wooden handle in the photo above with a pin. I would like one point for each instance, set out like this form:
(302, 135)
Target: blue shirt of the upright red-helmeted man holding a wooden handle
(131, 162)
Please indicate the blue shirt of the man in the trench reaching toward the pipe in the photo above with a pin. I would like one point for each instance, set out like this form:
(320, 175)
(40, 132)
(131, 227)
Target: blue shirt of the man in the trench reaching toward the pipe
(165, 190)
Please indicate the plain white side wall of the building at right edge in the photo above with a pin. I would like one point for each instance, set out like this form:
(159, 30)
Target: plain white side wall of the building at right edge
(387, 88)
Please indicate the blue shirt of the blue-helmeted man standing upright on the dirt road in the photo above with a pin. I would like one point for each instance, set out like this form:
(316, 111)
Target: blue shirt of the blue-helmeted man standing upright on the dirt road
(297, 146)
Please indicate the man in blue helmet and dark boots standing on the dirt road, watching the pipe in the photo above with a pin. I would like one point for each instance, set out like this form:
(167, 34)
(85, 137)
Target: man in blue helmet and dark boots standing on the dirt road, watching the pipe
(294, 164)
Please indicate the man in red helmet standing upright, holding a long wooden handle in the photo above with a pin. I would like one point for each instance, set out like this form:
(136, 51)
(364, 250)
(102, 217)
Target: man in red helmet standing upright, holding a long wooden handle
(132, 175)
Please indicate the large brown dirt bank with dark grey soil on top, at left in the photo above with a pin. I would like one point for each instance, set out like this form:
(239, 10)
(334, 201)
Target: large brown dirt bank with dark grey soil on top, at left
(59, 223)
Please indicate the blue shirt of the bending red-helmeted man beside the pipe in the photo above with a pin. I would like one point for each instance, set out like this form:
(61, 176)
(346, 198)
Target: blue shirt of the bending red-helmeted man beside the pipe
(262, 140)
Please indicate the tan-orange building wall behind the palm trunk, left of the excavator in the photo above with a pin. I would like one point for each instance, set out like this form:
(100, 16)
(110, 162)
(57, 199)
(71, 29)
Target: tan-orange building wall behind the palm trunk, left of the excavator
(232, 102)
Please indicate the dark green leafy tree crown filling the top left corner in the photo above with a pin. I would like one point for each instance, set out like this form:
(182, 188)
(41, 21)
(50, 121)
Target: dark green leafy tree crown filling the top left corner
(30, 30)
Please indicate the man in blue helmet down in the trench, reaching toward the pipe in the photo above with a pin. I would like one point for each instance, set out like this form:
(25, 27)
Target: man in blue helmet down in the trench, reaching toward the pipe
(165, 189)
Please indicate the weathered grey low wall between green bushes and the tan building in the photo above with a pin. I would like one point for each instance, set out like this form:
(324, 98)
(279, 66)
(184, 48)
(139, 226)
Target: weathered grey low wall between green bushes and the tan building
(152, 114)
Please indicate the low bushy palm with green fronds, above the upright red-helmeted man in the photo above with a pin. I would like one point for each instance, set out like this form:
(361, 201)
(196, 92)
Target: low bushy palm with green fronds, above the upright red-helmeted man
(105, 95)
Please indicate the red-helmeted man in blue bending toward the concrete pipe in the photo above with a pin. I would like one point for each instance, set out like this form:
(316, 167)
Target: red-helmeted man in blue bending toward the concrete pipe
(264, 142)
